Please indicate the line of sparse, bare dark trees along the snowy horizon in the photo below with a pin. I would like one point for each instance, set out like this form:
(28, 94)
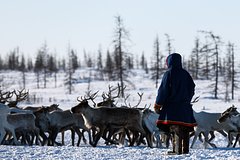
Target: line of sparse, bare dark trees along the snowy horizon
(210, 59)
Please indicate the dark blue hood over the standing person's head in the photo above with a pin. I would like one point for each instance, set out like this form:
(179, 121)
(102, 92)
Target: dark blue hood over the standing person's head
(174, 60)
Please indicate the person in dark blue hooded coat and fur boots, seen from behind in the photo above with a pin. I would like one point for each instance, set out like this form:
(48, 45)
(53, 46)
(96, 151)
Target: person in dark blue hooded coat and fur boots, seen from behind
(173, 104)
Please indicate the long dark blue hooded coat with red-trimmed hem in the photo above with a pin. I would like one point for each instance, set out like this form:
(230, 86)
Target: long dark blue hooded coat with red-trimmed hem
(175, 94)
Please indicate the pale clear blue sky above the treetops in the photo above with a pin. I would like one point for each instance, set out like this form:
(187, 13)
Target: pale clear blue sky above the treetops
(89, 25)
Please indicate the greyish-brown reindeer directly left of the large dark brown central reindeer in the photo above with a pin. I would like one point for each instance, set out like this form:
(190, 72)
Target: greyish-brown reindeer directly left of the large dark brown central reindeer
(58, 121)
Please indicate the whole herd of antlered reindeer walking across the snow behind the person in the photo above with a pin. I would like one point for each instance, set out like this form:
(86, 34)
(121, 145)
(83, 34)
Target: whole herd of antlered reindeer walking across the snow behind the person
(125, 125)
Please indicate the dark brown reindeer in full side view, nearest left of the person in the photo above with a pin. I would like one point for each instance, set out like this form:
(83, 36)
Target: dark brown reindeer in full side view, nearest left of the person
(102, 118)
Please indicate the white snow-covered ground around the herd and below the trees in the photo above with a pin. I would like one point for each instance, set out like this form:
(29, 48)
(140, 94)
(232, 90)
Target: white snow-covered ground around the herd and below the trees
(140, 83)
